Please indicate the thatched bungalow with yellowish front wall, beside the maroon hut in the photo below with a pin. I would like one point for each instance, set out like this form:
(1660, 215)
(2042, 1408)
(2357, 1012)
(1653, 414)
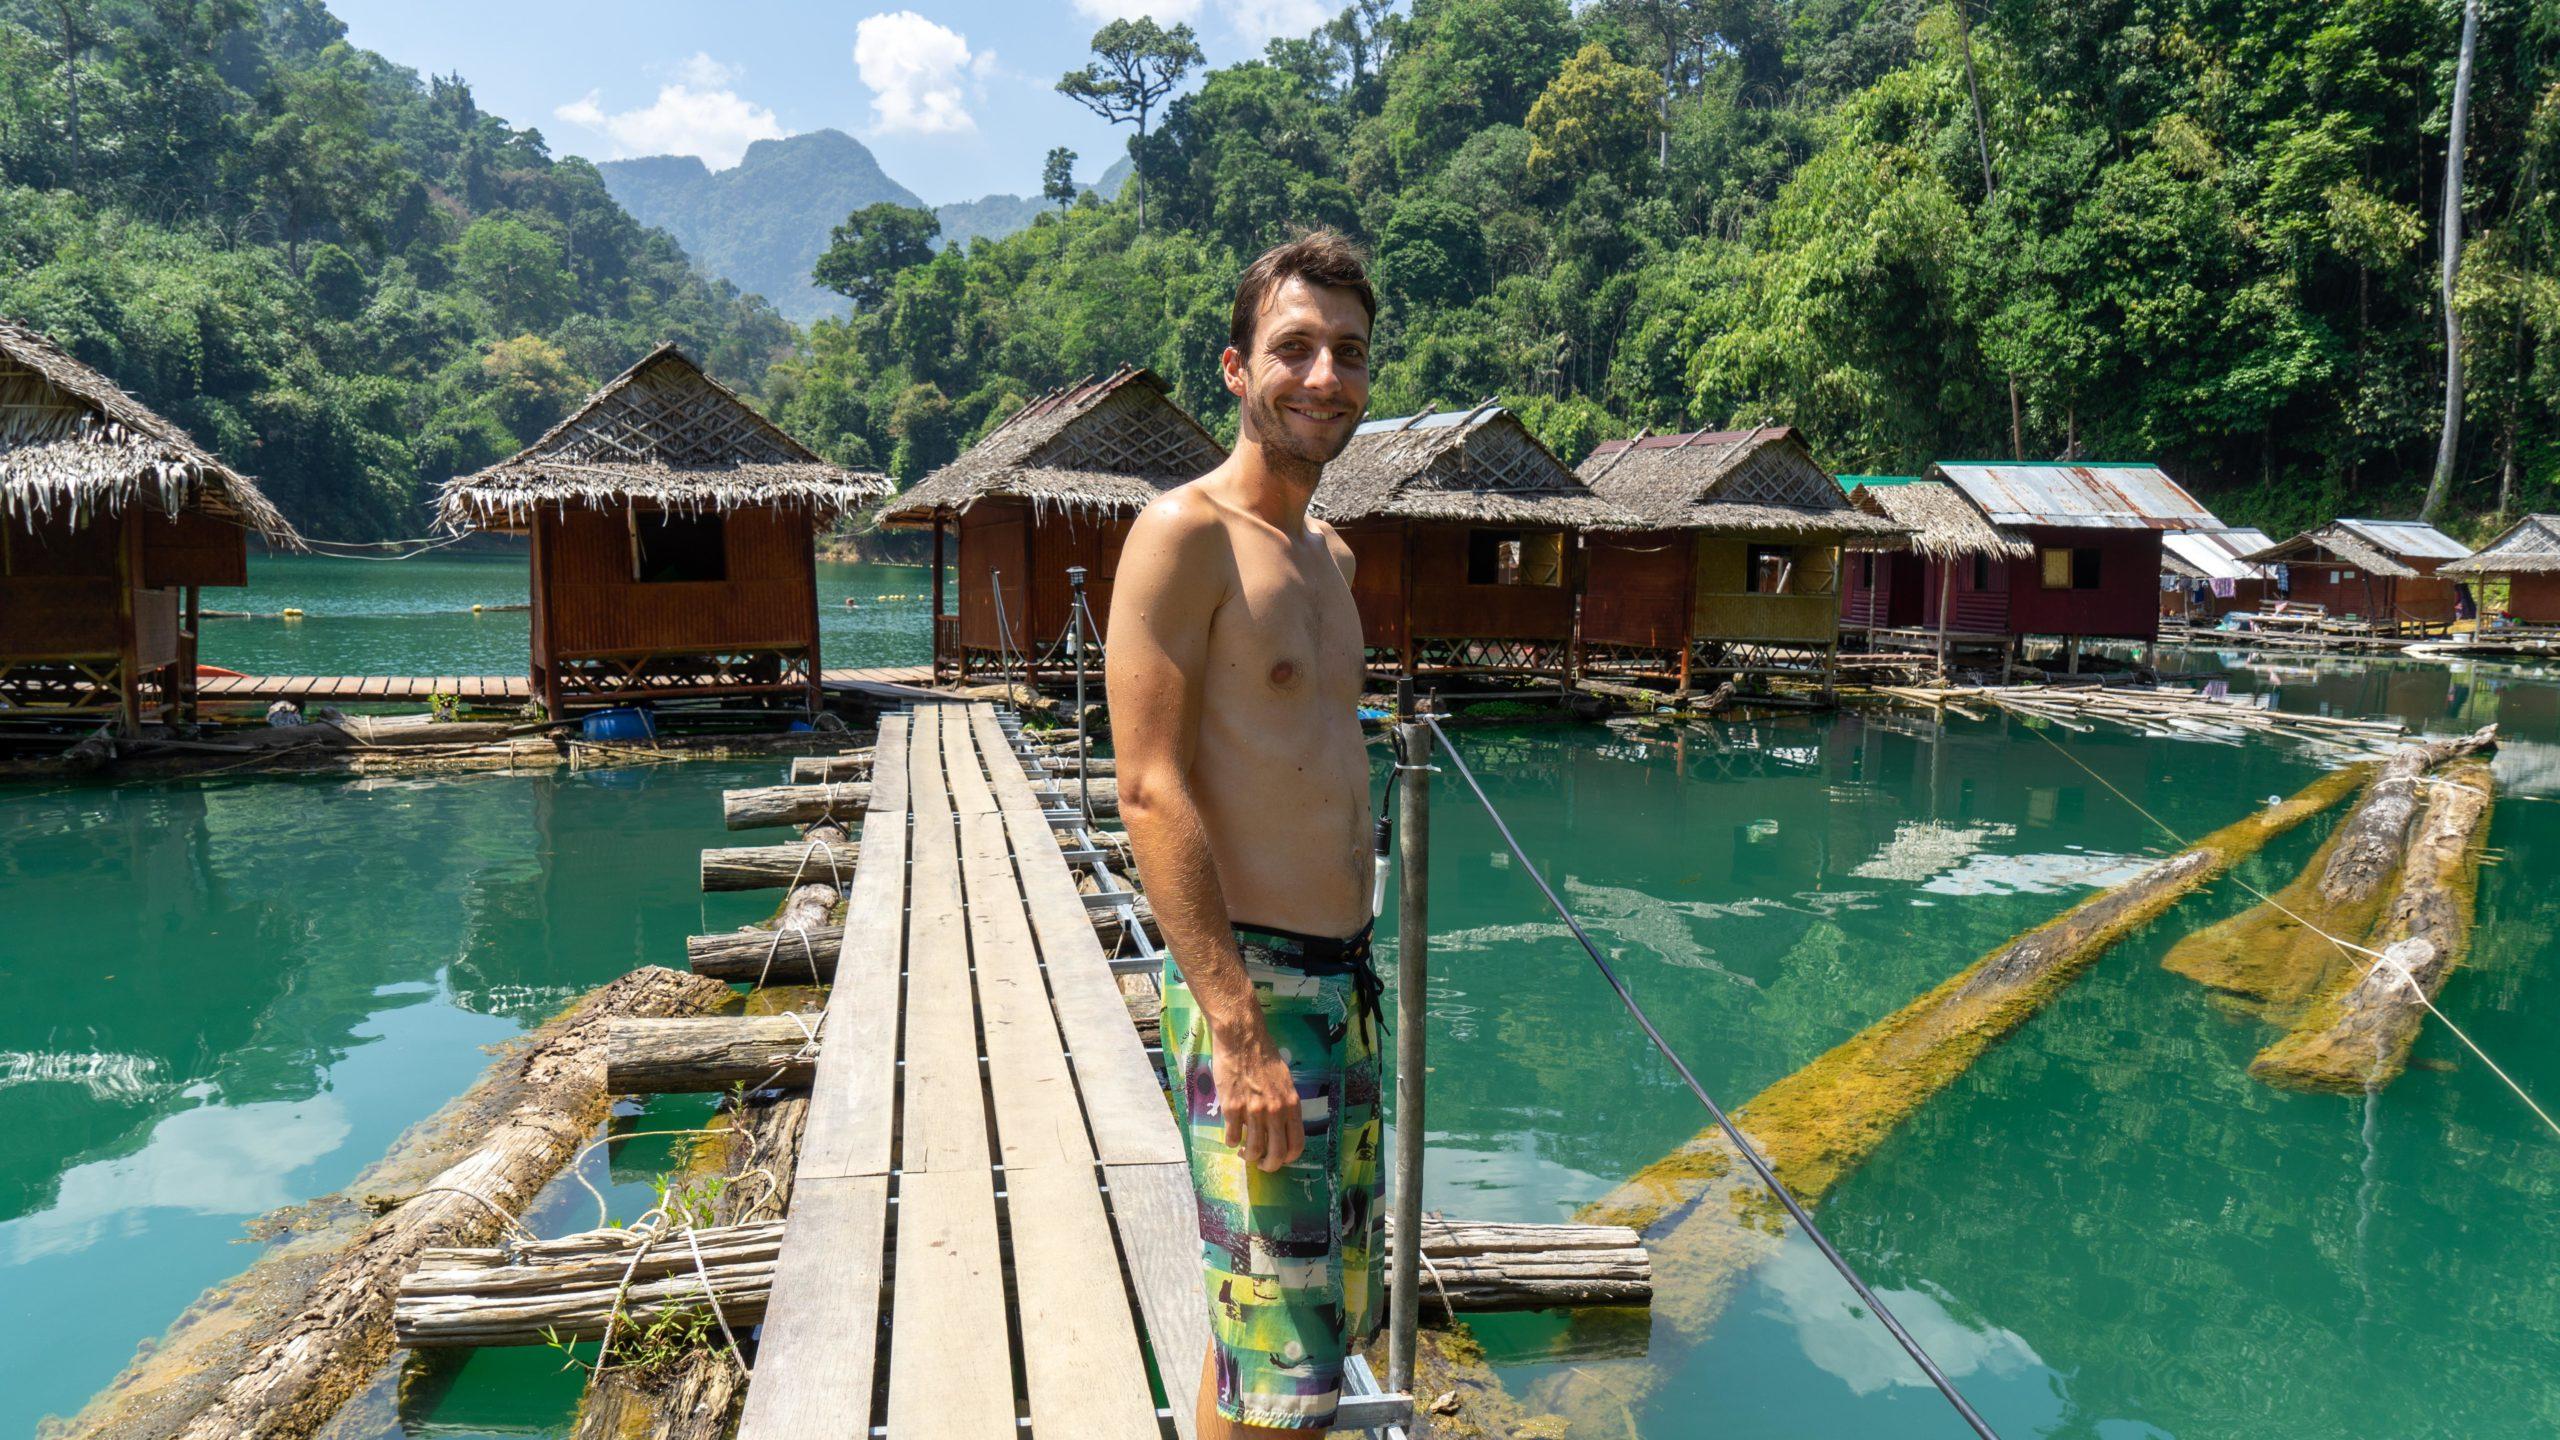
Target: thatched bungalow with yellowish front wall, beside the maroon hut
(1740, 557)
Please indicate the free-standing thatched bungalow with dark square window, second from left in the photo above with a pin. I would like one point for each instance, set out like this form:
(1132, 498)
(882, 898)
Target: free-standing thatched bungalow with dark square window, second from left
(675, 542)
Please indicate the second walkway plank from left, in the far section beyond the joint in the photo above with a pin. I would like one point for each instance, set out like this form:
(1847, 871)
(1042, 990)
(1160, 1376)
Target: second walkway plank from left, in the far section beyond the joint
(943, 1098)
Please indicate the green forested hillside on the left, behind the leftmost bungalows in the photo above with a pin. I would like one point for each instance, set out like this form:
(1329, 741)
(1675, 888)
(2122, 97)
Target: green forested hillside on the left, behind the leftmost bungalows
(339, 275)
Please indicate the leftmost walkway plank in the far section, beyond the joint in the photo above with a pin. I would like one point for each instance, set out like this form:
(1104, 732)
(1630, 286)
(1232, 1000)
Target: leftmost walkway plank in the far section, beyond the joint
(851, 1103)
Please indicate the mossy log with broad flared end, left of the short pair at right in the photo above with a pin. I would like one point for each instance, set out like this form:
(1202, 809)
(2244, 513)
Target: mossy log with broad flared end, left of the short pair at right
(2277, 954)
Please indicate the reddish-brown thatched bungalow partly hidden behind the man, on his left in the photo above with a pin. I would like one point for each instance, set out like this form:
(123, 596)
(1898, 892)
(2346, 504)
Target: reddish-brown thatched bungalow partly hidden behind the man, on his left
(1053, 486)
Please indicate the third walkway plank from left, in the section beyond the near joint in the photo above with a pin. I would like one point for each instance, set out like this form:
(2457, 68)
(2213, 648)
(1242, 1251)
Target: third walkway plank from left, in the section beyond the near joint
(1038, 1116)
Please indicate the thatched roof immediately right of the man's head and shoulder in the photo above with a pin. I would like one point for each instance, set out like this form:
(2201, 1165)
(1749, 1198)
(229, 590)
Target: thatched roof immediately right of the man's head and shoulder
(1468, 468)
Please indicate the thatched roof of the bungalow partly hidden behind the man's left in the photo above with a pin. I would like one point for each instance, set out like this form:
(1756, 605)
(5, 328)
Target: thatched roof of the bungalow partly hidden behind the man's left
(1107, 447)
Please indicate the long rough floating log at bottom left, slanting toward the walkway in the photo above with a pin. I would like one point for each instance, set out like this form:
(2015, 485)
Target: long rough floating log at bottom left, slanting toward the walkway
(278, 1352)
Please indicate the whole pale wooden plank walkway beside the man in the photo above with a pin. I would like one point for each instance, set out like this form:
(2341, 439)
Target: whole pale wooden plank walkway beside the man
(995, 1226)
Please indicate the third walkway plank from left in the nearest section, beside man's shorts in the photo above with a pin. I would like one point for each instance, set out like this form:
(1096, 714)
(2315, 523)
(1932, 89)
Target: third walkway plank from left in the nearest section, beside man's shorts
(1082, 1357)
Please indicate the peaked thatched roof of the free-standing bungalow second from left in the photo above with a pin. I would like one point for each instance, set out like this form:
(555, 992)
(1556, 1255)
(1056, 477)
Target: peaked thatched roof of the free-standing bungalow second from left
(664, 434)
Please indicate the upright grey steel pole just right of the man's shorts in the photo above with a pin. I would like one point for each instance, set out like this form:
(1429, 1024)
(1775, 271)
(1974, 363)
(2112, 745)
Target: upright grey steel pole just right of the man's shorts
(1412, 1003)
